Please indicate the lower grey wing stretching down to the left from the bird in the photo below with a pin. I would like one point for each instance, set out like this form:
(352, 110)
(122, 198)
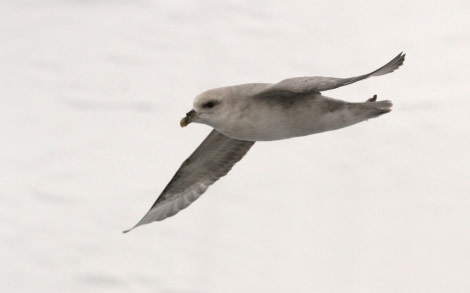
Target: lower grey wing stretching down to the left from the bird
(211, 160)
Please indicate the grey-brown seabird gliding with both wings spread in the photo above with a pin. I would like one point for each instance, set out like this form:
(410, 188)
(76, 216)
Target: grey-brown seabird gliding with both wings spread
(240, 115)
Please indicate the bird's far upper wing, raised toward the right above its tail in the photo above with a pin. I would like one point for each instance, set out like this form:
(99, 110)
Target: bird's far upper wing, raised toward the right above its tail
(317, 84)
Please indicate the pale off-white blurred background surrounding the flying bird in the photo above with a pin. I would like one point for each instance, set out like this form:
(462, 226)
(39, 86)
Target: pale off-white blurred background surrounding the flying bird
(91, 96)
